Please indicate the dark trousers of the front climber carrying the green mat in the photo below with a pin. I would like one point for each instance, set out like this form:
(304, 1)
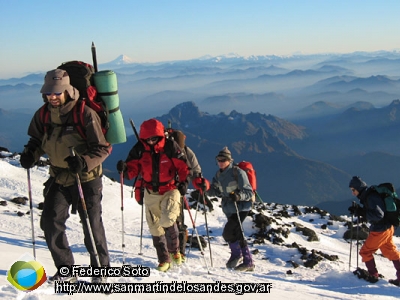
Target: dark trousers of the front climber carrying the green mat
(56, 212)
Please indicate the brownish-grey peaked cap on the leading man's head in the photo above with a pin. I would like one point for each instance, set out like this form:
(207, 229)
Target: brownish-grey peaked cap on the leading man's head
(57, 81)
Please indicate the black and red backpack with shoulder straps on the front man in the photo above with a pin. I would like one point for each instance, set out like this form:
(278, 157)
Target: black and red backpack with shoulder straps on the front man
(81, 77)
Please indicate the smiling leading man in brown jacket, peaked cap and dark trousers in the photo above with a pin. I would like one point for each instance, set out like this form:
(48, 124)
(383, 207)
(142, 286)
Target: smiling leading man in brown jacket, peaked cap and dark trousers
(61, 191)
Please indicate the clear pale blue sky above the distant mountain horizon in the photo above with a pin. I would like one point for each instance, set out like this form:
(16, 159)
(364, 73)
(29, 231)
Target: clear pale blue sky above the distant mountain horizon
(37, 35)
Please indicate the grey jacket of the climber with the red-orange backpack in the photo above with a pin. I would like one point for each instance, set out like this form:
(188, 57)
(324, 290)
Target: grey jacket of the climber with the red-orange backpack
(224, 183)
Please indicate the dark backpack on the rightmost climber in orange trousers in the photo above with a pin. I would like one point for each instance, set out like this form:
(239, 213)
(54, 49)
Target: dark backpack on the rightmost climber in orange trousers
(391, 201)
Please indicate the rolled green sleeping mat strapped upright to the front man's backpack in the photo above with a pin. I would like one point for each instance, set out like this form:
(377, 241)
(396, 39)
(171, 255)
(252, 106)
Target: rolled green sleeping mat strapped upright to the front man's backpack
(107, 89)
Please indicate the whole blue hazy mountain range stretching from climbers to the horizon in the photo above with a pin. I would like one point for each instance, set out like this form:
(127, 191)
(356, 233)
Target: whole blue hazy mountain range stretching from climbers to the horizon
(307, 122)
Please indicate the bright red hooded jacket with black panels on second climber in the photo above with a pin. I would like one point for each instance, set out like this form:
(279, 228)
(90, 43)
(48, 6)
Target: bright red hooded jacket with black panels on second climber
(161, 166)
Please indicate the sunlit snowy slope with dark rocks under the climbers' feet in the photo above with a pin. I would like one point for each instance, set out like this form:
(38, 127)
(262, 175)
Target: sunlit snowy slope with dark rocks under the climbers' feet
(274, 262)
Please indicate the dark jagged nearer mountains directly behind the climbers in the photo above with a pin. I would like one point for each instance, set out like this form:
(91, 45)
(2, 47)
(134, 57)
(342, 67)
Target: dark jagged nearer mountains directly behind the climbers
(290, 166)
